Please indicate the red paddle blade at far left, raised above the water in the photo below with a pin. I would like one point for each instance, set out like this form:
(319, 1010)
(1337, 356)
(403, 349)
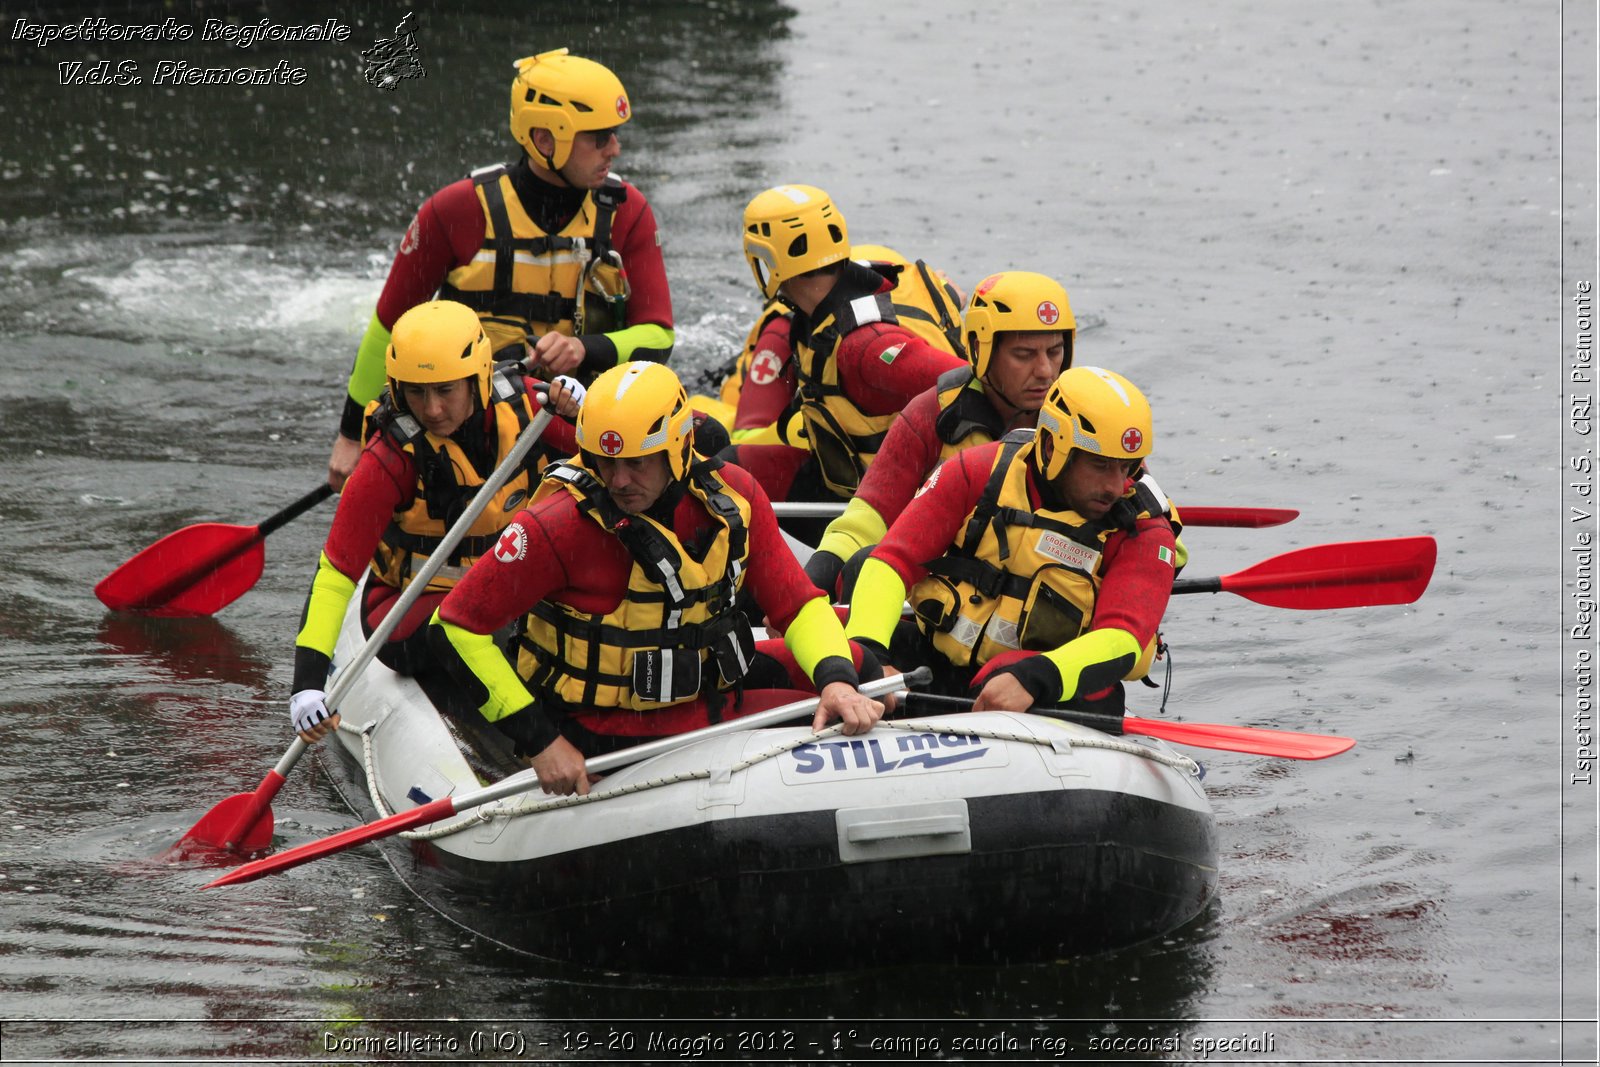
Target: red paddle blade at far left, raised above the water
(198, 570)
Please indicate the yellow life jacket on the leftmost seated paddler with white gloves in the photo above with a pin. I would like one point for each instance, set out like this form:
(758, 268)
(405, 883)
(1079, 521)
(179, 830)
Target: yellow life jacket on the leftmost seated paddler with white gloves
(446, 484)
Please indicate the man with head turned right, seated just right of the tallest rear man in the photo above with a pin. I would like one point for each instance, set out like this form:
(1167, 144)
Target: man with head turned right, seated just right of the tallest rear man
(860, 361)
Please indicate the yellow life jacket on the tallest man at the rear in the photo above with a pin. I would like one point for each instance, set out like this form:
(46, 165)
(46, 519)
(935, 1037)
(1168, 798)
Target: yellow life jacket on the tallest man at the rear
(524, 282)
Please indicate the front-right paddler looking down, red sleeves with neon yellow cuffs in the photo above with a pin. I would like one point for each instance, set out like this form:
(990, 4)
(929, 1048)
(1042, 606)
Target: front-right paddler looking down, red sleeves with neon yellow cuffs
(1038, 567)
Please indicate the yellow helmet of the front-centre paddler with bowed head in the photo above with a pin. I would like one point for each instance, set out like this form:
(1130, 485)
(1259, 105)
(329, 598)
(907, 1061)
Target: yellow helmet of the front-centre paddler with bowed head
(636, 410)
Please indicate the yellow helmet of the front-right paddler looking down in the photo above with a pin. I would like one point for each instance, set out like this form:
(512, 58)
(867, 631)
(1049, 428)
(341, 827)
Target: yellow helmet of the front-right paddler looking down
(1095, 410)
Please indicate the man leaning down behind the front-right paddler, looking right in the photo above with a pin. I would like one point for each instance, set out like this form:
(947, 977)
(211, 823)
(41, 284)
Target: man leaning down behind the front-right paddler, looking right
(1018, 332)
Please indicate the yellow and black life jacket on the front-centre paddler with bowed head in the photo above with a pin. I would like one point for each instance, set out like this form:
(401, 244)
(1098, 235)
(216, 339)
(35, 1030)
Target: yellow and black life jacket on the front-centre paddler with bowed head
(676, 633)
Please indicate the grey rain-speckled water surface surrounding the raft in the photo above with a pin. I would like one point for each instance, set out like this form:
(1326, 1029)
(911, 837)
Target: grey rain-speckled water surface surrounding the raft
(1327, 242)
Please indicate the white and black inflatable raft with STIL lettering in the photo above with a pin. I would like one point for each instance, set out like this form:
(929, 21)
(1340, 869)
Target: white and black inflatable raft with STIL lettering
(951, 839)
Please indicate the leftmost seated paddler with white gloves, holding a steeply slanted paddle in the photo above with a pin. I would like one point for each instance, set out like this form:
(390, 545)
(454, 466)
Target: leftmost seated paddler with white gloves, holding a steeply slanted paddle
(446, 422)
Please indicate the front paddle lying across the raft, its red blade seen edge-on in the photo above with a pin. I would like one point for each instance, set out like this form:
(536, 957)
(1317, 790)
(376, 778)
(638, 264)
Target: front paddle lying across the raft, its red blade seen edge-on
(527, 781)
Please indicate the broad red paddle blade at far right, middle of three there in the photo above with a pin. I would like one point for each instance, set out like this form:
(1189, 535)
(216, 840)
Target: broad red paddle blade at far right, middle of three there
(1343, 575)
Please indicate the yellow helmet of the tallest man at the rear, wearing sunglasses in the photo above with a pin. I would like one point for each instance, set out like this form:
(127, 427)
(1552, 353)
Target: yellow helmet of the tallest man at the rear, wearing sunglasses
(564, 95)
